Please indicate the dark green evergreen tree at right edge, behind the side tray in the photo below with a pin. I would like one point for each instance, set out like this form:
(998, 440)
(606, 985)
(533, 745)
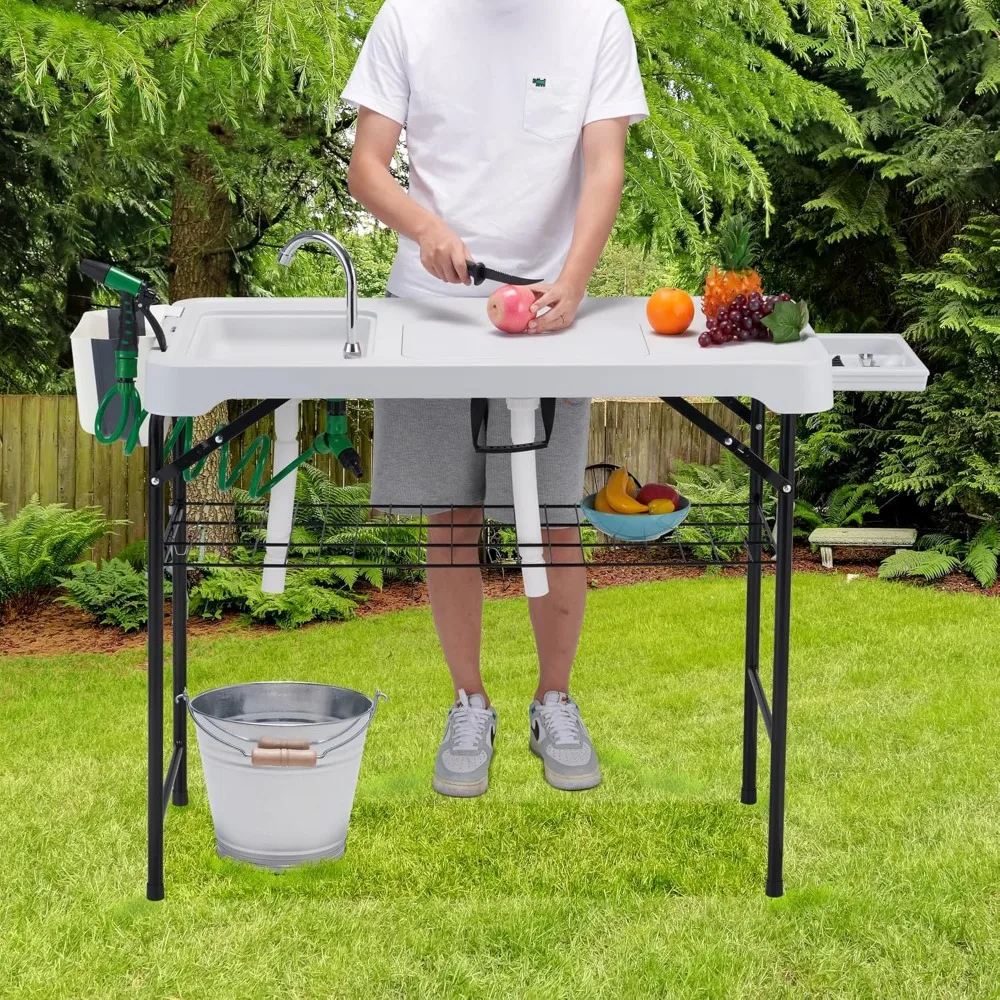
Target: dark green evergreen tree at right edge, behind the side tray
(899, 232)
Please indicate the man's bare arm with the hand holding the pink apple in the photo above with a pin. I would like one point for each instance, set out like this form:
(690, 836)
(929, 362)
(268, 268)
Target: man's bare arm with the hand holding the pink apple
(600, 196)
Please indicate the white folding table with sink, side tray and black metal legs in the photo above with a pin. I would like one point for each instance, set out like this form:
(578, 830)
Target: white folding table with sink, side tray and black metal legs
(285, 350)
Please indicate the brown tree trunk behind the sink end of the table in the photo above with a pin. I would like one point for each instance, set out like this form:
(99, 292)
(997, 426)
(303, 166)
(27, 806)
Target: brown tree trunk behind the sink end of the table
(201, 260)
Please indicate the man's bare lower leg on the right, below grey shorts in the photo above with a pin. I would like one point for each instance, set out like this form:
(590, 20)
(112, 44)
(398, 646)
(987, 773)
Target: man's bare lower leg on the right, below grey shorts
(557, 618)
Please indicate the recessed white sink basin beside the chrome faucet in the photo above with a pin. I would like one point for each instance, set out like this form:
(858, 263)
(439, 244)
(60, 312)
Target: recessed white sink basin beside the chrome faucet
(272, 336)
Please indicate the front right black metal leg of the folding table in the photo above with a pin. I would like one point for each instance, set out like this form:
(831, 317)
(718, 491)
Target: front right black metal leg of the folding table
(779, 698)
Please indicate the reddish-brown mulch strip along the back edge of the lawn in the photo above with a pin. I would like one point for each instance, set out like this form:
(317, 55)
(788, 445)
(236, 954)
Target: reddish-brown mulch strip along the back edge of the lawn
(52, 629)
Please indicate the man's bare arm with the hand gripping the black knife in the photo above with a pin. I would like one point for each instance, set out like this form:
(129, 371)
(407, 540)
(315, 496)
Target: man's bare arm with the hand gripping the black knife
(442, 253)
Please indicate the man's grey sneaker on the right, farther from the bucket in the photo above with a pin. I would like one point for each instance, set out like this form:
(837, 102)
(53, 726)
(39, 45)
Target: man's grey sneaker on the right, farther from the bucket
(560, 738)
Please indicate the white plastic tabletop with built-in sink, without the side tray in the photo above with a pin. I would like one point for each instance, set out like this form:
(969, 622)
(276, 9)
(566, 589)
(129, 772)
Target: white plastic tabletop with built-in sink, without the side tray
(222, 349)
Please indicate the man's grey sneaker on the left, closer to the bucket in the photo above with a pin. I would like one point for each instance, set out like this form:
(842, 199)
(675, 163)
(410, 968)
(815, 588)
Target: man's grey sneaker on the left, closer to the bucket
(462, 766)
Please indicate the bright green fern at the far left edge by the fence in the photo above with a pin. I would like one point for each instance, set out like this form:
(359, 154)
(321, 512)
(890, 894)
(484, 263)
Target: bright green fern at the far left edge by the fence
(40, 543)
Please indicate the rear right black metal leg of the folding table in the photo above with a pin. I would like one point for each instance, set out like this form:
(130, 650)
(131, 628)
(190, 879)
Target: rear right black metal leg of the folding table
(748, 792)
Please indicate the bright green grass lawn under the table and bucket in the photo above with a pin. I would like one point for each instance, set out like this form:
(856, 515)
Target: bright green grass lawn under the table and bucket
(649, 886)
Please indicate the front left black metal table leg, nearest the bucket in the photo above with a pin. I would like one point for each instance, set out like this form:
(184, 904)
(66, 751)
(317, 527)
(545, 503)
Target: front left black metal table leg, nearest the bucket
(154, 666)
